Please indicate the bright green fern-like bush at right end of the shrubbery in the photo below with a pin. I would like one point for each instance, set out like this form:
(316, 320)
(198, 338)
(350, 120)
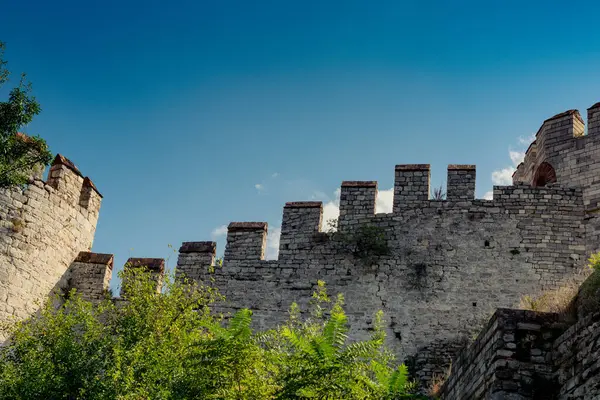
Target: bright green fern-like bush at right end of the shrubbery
(319, 363)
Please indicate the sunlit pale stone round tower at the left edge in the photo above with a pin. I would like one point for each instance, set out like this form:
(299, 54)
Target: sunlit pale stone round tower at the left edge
(42, 230)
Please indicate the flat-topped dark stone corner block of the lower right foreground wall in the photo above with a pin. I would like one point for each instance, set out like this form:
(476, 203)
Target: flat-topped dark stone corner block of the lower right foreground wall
(511, 359)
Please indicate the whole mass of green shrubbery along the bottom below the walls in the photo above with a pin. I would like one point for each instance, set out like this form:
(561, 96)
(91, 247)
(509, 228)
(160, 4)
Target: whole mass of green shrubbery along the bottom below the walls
(170, 346)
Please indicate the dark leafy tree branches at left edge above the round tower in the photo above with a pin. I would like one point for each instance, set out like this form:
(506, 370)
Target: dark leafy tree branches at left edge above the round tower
(20, 155)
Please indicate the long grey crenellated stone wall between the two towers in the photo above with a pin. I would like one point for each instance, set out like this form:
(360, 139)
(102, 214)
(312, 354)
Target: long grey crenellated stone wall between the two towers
(451, 262)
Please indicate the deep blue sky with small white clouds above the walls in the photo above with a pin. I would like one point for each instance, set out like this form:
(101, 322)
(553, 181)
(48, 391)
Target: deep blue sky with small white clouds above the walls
(190, 114)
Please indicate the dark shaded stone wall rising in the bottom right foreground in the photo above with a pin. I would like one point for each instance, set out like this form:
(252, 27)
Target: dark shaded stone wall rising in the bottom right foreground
(529, 355)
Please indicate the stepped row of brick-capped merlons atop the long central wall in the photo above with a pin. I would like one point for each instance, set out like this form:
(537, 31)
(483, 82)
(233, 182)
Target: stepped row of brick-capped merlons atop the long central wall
(302, 221)
